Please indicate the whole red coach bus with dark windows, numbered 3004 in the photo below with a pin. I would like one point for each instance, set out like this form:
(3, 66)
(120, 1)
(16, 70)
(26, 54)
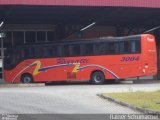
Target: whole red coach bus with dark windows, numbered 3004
(96, 60)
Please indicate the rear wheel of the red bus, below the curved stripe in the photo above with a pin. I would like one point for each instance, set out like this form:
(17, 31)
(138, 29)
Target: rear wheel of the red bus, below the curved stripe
(97, 78)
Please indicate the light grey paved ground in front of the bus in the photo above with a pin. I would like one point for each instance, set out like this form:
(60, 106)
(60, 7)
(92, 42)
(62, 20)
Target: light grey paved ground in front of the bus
(66, 99)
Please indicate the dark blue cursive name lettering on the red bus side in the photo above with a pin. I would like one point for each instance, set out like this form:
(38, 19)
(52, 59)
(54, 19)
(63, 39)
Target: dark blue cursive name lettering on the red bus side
(66, 61)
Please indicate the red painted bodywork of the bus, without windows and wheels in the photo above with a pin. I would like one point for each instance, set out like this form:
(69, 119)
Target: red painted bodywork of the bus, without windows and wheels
(80, 68)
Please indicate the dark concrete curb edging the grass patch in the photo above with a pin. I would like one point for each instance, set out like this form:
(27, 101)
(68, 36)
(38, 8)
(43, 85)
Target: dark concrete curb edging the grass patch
(139, 109)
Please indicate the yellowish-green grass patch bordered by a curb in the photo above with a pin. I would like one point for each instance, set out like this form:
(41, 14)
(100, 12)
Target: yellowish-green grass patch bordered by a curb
(147, 100)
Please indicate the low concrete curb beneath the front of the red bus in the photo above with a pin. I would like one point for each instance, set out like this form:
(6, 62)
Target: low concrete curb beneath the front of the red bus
(22, 85)
